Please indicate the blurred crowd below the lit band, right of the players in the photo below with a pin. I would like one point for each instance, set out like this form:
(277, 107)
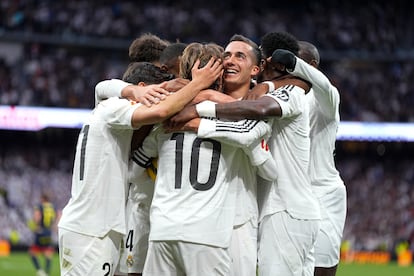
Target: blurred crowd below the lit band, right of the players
(380, 202)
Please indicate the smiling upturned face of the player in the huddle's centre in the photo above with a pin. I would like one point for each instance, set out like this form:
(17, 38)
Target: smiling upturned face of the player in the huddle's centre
(238, 63)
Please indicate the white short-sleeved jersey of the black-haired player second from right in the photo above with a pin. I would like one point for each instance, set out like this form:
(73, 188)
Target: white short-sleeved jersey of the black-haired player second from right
(290, 146)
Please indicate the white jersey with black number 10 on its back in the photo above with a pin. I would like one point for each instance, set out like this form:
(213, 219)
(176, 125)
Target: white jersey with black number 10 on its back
(194, 198)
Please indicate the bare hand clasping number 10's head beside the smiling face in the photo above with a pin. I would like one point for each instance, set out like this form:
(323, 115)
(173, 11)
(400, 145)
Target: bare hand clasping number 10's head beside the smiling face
(208, 74)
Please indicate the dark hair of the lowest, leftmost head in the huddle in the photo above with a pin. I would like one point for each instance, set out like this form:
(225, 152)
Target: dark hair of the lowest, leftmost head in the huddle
(145, 72)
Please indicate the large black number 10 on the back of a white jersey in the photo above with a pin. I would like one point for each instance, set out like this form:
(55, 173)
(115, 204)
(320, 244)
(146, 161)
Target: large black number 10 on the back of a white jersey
(195, 162)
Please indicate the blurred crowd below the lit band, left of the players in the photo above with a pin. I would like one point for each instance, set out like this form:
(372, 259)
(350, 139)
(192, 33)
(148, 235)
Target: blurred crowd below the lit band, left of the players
(24, 175)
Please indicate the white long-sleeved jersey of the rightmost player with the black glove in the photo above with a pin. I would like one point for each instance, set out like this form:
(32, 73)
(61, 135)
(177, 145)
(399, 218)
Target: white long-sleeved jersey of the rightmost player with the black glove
(324, 117)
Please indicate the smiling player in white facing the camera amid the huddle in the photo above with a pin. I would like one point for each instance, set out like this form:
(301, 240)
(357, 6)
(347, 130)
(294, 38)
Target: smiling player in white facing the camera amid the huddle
(241, 62)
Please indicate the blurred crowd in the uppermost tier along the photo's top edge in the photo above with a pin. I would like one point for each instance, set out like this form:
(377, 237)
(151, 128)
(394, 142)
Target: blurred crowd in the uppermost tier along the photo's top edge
(375, 25)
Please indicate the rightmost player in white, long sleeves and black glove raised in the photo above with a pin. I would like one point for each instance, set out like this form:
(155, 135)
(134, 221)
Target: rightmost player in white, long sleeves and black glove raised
(327, 184)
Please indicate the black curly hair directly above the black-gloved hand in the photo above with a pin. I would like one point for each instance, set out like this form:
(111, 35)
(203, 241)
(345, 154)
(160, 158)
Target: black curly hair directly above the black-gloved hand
(278, 40)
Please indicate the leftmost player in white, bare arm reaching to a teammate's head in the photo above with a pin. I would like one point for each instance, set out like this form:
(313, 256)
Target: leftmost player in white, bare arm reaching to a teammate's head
(93, 221)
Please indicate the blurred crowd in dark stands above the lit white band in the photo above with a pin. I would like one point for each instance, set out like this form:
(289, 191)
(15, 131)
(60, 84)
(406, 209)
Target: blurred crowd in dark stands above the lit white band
(366, 51)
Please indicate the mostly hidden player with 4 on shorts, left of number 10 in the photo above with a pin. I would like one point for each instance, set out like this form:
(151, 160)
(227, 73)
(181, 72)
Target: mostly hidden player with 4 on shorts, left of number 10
(135, 243)
